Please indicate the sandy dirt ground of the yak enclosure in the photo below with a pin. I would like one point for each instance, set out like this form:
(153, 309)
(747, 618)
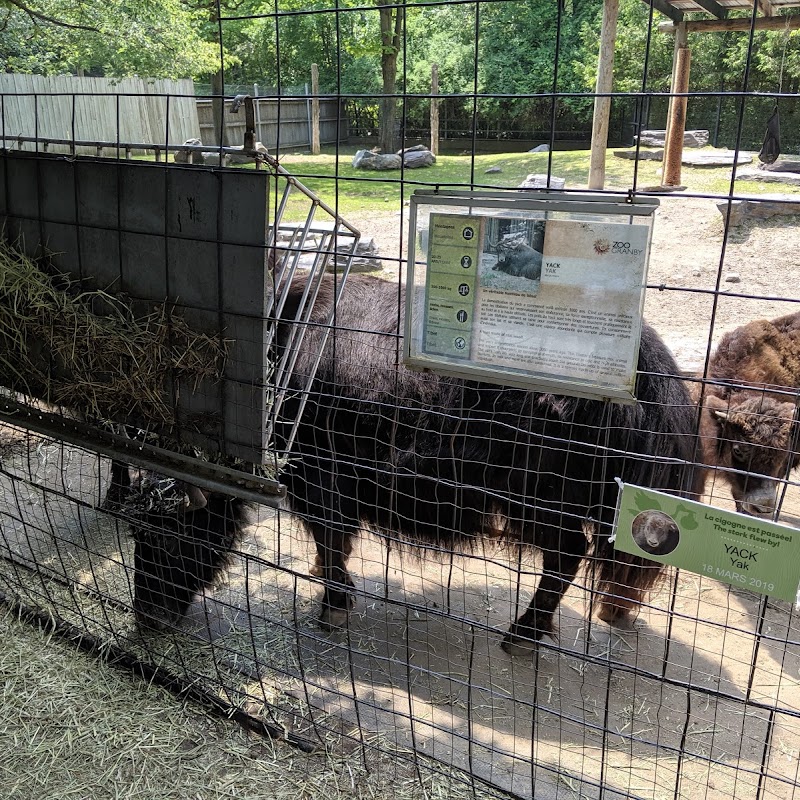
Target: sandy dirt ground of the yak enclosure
(699, 700)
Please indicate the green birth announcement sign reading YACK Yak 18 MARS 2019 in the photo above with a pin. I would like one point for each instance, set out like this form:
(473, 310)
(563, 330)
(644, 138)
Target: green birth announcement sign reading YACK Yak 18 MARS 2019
(733, 548)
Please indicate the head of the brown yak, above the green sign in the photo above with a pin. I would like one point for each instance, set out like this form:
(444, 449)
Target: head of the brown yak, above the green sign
(752, 437)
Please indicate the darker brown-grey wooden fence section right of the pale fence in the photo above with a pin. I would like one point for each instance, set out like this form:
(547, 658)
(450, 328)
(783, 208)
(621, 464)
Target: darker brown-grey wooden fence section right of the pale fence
(290, 116)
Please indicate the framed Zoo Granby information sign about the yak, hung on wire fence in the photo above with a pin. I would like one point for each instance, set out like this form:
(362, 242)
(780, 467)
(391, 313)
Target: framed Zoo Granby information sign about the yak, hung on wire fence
(535, 293)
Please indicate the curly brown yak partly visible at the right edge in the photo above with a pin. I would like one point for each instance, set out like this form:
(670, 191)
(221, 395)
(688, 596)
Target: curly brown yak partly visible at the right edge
(747, 424)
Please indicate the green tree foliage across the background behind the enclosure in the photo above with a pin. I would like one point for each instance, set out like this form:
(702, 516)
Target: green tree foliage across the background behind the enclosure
(504, 52)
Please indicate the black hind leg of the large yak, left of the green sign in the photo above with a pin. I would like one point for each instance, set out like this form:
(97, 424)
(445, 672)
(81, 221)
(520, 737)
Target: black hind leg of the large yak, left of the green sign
(560, 565)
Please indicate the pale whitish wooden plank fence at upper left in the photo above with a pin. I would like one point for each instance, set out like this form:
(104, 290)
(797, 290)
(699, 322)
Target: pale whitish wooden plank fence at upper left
(59, 110)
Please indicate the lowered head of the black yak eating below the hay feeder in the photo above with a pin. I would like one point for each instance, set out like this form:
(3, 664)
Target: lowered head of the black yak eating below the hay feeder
(182, 538)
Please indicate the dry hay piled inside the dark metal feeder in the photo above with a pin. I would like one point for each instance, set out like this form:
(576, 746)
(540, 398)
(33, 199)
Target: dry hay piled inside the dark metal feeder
(86, 350)
